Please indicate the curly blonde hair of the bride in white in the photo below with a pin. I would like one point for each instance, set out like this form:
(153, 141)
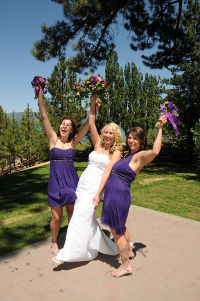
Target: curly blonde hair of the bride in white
(117, 145)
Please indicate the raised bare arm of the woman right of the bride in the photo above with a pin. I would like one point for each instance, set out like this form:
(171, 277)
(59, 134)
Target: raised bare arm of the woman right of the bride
(144, 157)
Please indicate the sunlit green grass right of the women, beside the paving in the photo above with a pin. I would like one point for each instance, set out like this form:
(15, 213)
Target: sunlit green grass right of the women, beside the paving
(176, 194)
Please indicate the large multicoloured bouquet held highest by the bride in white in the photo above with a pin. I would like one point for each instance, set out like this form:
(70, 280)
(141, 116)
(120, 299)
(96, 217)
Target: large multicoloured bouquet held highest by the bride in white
(93, 84)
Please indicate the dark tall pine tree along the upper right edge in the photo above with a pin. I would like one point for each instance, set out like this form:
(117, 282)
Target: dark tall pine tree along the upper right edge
(186, 75)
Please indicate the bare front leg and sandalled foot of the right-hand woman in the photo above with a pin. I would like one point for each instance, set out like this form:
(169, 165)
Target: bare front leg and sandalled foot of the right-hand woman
(122, 247)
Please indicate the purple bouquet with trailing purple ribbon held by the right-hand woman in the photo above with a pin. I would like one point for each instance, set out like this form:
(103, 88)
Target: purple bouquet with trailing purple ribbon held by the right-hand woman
(170, 110)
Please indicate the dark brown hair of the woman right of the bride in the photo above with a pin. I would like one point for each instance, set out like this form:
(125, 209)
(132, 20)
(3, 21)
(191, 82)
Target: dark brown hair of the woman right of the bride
(139, 134)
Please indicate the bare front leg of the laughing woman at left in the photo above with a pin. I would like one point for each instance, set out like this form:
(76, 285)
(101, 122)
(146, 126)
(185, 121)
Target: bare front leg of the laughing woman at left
(57, 213)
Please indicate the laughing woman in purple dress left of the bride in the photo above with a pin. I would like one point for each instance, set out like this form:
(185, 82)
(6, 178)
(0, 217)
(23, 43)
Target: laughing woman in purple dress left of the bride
(63, 178)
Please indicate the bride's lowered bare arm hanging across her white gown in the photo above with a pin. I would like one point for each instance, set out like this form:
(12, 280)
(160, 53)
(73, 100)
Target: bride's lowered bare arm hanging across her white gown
(115, 157)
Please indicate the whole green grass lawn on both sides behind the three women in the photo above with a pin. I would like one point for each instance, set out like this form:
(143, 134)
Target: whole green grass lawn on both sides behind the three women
(25, 215)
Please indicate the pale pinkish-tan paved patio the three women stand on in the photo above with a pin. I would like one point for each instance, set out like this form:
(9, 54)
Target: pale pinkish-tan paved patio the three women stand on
(166, 266)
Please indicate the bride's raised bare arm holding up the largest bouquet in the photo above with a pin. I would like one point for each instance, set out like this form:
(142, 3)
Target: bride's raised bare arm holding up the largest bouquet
(92, 116)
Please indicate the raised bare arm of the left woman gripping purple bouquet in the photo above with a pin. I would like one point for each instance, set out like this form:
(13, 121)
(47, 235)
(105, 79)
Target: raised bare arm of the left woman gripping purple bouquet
(46, 123)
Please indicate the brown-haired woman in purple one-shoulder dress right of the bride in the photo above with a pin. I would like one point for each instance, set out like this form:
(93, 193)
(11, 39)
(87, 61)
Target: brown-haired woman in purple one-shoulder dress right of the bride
(117, 198)
